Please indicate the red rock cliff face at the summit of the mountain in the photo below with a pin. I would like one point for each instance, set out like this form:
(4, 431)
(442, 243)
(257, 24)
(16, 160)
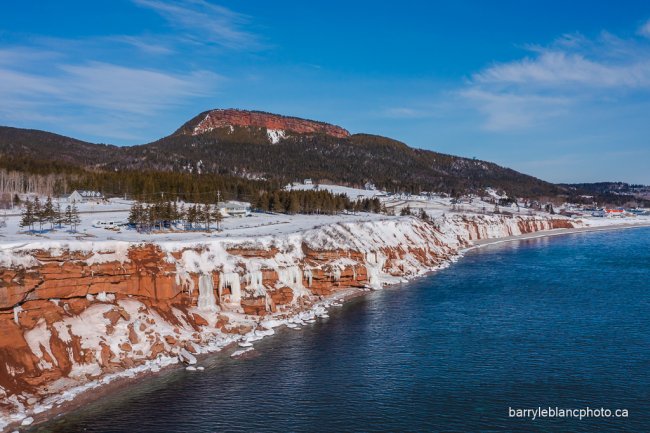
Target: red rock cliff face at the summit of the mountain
(231, 117)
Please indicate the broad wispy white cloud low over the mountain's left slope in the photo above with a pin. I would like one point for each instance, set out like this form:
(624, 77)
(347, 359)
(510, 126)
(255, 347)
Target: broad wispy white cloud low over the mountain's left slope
(95, 96)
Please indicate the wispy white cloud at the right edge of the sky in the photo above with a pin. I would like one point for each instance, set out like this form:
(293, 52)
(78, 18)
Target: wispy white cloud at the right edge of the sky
(557, 80)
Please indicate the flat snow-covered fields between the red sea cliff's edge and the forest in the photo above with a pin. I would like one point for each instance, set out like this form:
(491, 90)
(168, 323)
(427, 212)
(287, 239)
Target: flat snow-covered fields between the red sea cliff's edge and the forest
(257, 224)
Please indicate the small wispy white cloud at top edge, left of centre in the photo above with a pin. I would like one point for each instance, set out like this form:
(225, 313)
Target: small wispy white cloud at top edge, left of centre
(204, 22)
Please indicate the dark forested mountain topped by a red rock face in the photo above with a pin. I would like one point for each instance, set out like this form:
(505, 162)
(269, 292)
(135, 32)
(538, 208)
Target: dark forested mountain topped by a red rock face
(258, 145)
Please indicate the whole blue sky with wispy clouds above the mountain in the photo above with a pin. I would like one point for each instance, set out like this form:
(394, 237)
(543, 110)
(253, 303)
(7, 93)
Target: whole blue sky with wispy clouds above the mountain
(560, 90)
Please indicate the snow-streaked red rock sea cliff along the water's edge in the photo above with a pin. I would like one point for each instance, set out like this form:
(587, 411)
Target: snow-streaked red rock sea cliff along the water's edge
(74, 316)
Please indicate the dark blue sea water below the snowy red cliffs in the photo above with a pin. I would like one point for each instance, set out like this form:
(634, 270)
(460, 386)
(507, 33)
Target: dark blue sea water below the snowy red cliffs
(562, 321)
